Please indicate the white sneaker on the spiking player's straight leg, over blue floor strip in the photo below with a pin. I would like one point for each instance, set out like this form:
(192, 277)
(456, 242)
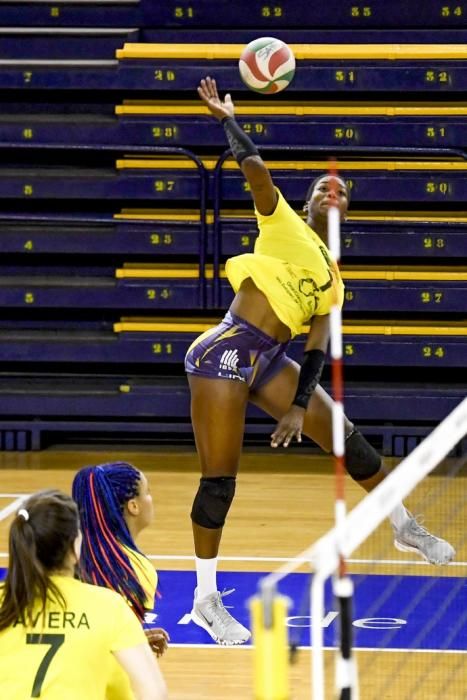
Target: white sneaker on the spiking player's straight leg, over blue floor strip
(210, 614)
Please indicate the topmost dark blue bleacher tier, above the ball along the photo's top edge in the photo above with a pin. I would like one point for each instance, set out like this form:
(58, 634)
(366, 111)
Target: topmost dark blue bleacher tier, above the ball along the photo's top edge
(246, 13)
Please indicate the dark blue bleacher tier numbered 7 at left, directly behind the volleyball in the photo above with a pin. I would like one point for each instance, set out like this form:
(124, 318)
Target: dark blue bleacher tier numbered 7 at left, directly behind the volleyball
(358, 77)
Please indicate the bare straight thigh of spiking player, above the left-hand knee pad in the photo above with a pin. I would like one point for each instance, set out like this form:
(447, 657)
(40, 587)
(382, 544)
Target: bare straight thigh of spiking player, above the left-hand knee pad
(218, 409)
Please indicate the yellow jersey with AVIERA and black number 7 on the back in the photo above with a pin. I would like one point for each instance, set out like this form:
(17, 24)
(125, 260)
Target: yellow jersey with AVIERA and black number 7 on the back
(66, 655)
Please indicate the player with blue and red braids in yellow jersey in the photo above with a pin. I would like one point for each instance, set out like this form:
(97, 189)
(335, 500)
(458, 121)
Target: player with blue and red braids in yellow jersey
(115, 505)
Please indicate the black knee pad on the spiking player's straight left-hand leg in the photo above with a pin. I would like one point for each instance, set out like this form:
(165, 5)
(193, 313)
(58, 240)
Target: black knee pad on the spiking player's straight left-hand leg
(212, 502)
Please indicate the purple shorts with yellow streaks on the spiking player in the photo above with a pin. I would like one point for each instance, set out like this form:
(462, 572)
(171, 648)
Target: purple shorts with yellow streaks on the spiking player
(236, 350)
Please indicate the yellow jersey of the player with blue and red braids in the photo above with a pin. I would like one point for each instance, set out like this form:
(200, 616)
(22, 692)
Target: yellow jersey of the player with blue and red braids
(119, 687)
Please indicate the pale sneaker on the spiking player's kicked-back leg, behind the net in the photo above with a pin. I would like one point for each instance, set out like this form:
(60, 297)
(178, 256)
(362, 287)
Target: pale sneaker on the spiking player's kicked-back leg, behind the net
(412, 537)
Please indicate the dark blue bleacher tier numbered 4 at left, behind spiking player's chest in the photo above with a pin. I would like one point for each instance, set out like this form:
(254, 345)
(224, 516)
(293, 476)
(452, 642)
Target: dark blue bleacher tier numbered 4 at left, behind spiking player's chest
(159, 232)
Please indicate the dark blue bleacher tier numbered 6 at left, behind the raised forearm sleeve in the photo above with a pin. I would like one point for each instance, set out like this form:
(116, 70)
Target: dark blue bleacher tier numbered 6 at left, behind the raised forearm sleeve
(358, 131)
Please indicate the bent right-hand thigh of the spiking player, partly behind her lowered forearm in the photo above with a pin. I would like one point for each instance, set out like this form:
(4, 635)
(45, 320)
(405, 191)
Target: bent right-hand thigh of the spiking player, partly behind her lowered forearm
(276, 396)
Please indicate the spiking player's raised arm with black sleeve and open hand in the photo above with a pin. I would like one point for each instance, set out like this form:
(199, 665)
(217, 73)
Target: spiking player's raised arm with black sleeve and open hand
(243, 149)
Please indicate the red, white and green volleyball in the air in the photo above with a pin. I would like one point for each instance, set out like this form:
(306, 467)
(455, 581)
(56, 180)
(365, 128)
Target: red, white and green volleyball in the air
(267, 65)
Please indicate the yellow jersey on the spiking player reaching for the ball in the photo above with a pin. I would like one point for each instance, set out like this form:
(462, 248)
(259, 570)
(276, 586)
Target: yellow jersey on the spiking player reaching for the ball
(291, 266)
